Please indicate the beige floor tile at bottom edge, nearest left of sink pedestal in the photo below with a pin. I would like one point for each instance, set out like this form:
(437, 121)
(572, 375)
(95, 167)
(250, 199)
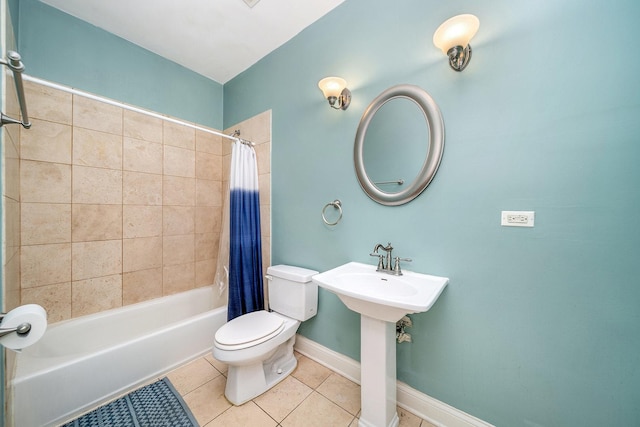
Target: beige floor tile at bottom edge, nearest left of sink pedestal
(317, 411)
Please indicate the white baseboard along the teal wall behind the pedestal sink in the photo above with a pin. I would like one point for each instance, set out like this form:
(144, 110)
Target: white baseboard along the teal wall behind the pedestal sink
(420, 404)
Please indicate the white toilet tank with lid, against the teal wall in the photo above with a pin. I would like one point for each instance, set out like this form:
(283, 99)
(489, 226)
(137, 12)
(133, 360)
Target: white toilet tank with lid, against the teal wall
(291, 291)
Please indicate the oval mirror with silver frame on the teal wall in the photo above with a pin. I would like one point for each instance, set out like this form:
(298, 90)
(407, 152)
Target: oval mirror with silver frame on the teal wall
(398, 145)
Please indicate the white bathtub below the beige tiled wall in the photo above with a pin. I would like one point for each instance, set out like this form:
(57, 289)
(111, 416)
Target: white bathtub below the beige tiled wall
(83, 362)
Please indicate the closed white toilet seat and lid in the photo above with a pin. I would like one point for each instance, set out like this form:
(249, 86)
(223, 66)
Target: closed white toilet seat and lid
(248, 330)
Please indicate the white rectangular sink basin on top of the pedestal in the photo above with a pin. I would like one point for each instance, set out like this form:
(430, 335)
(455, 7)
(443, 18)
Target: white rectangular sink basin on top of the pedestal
(380, 295)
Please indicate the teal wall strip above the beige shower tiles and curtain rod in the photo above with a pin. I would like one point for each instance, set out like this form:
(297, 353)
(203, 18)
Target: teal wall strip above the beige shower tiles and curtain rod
(57, 47)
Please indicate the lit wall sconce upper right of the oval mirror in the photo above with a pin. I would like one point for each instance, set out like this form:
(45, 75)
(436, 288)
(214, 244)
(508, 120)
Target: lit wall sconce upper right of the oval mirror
(453, 37)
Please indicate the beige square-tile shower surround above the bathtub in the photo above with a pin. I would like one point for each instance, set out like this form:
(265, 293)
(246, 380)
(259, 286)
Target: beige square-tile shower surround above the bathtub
(118, 207)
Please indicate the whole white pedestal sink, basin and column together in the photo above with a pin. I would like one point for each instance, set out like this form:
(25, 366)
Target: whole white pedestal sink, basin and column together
(381, 299)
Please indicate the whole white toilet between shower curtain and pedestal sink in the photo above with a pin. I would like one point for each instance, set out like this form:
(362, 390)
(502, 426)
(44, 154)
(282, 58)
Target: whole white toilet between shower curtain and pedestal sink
(258, 346)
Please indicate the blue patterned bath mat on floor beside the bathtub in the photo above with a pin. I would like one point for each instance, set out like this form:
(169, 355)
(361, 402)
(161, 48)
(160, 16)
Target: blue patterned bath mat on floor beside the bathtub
(154, 405)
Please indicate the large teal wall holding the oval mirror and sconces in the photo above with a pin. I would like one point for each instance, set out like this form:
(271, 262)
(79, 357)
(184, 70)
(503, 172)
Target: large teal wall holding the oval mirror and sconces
(538, 326)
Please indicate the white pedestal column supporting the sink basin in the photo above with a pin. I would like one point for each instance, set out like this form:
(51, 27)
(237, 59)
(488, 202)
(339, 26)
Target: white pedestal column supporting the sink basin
(378, 373)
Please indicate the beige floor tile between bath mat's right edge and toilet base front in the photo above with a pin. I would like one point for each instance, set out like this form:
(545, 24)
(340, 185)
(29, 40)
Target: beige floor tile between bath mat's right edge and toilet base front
(208, 401)
